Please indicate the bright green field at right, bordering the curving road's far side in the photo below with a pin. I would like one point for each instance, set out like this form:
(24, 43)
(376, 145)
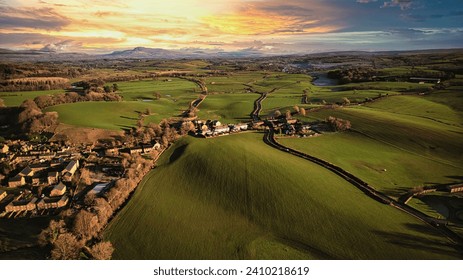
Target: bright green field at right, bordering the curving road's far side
(368, 158)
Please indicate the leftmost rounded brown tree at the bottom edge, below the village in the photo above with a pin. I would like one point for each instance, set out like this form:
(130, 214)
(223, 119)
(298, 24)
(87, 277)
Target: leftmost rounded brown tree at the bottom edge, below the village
(66, 247)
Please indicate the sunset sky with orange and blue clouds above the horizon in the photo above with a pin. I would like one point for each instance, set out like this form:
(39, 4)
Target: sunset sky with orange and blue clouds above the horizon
(268, 26)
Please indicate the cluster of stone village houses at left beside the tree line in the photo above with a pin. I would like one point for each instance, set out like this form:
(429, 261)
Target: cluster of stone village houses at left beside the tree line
(46, 178)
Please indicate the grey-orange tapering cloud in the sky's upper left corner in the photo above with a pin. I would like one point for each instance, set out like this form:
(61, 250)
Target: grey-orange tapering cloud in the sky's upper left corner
(43, 18)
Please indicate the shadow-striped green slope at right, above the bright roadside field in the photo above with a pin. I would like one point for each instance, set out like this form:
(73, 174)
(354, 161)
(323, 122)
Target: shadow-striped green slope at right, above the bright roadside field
(411, 132)
